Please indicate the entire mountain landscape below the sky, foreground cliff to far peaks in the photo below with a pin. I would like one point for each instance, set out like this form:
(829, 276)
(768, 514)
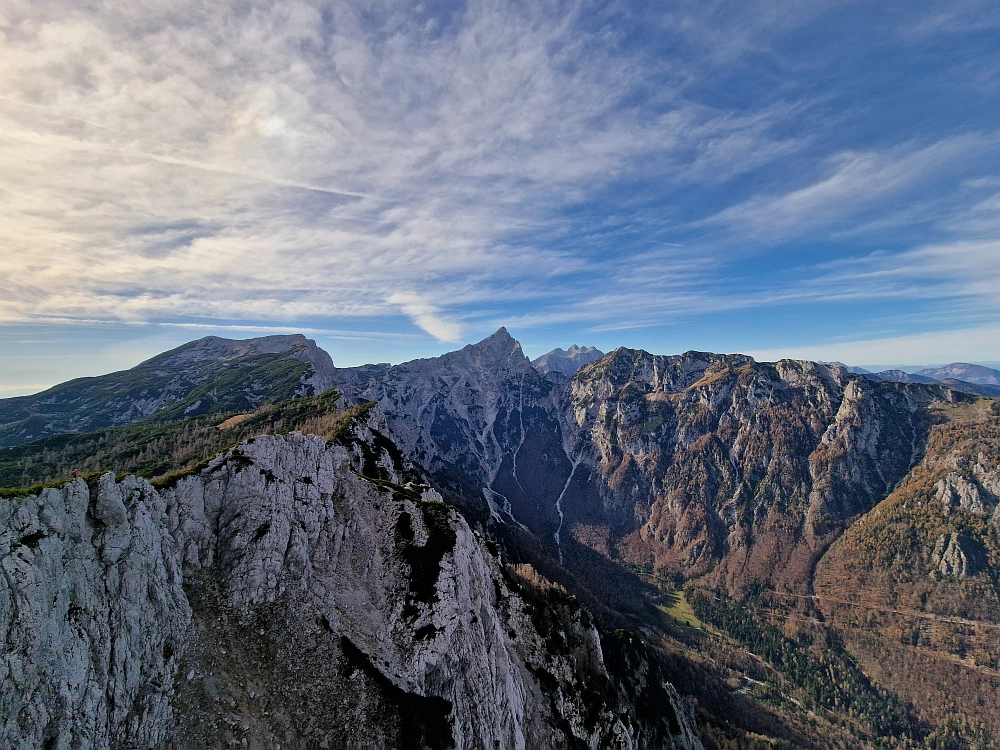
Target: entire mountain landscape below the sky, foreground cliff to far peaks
(696, 550)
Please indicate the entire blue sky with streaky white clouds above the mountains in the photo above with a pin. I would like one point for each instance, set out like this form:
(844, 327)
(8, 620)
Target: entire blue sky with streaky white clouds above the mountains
(809, 179)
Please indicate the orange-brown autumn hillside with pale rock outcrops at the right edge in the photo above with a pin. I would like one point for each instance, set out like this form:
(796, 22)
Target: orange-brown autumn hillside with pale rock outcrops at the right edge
(915, 585)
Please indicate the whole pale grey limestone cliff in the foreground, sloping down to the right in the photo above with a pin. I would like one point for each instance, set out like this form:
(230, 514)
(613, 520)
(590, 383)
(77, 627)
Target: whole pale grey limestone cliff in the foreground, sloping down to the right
(301, 593)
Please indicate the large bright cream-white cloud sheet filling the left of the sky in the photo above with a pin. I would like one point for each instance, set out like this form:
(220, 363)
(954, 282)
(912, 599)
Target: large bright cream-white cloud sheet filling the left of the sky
(294, 162)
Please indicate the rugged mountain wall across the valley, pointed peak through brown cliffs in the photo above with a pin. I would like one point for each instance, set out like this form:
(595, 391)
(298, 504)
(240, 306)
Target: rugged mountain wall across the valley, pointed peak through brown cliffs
(700, 464)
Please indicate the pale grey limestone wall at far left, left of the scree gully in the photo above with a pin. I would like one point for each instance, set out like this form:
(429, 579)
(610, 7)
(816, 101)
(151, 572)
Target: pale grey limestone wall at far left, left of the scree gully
(93, 616)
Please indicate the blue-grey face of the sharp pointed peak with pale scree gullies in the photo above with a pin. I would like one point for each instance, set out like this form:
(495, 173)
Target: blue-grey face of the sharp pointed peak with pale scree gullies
(467, 418)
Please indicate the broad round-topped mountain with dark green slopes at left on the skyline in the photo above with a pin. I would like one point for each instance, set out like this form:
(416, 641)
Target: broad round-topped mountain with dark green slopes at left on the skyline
(211, 375)
